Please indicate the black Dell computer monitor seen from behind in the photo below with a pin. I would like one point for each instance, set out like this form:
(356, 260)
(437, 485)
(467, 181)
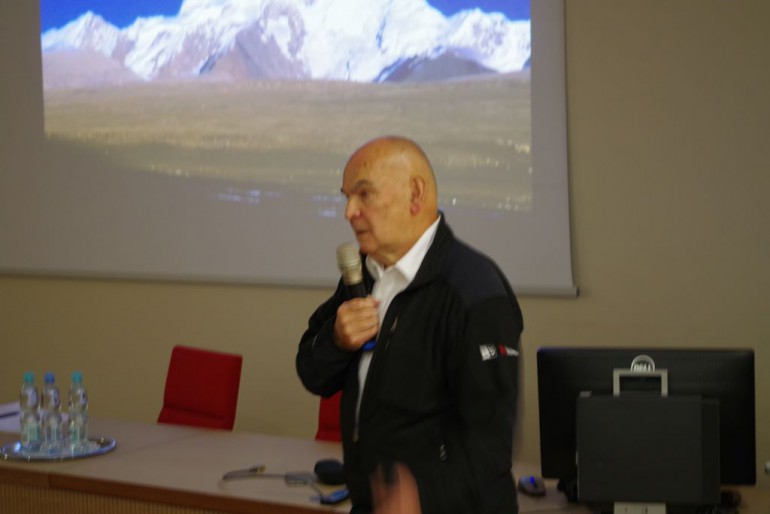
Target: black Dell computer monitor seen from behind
(726, 375)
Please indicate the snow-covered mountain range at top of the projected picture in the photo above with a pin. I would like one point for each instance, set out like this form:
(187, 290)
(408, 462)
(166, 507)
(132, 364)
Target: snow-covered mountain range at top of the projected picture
(377, 40)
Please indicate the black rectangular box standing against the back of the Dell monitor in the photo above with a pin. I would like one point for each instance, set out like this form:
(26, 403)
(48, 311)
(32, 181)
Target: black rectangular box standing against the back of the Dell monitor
(648, 449)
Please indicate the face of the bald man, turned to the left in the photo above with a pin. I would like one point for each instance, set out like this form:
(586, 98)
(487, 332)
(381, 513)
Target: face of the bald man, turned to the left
(378, 207)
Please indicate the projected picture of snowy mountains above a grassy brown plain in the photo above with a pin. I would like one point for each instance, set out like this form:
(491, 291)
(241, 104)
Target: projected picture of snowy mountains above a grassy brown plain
(279, 92)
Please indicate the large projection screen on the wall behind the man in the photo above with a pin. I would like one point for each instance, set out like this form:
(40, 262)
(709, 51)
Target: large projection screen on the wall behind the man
(207, 143)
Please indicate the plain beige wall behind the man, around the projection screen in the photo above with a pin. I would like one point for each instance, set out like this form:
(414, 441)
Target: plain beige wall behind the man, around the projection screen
(669, 118)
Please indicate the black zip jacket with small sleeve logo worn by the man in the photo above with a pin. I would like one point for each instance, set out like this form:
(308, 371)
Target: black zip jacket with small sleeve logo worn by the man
(441, 391)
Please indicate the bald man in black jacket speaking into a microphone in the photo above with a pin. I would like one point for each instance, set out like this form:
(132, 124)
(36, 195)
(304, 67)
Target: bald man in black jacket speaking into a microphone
(437, 392)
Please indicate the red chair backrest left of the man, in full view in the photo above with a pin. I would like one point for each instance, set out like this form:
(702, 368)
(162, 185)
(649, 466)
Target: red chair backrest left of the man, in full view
(201, 388)
